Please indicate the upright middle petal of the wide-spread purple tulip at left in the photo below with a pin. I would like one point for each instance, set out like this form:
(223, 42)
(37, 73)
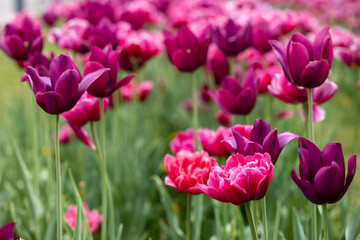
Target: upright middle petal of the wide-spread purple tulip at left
(67, 85)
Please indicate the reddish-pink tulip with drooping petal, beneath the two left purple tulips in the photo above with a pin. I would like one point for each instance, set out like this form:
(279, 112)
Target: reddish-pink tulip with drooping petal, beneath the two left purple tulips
(86, 110)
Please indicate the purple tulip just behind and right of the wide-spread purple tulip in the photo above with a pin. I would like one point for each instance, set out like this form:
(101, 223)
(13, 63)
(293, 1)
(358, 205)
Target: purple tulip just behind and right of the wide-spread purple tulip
(107, 83)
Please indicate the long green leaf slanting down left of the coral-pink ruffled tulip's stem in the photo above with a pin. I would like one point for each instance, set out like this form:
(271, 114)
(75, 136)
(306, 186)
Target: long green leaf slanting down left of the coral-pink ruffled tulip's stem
(172, 217)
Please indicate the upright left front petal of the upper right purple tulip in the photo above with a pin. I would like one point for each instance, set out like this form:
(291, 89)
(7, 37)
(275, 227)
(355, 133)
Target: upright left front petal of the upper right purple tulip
(298, 58)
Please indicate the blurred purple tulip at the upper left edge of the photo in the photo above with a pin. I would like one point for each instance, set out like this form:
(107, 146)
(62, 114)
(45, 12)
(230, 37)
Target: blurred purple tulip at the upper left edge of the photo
(22, 37)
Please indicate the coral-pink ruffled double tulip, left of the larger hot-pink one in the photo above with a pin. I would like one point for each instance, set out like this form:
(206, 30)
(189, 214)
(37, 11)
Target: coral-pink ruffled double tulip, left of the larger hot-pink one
(188, 169)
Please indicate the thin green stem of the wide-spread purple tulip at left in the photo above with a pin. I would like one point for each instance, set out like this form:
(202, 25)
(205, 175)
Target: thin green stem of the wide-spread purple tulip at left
(58, 181)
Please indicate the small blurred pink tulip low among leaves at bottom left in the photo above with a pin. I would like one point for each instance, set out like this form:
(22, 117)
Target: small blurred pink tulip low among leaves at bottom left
(93, 217)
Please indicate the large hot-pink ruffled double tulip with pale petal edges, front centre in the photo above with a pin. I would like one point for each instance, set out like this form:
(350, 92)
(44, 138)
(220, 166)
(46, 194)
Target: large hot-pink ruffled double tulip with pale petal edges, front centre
(244, 178)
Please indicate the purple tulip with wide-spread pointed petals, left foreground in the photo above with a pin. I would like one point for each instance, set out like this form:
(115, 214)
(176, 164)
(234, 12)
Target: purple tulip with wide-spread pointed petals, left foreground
(60, 91)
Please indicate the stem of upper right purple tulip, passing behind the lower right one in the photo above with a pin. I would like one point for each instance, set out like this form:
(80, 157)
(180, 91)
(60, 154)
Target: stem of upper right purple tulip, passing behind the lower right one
(311, 137)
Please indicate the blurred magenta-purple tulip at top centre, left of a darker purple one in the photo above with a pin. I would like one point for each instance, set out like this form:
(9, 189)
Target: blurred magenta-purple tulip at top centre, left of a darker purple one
(187, 51)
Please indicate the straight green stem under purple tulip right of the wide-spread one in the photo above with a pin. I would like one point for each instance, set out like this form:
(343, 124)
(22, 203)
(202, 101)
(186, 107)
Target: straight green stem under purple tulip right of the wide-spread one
(103, 172)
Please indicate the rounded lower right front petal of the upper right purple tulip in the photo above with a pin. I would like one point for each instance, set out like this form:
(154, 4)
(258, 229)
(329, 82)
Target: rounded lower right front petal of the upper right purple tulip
(315, 74)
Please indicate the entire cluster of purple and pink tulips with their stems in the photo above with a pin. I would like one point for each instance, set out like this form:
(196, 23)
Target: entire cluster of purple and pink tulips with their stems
(240, 44)
